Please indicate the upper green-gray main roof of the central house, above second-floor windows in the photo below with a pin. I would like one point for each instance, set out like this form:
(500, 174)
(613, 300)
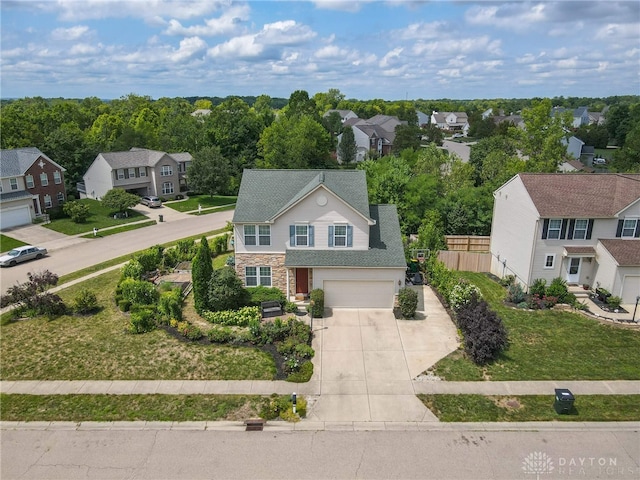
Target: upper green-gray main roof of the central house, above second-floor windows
(264, 194)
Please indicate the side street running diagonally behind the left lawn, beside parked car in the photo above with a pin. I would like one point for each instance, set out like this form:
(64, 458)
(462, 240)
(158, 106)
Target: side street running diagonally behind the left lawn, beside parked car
(74, 254)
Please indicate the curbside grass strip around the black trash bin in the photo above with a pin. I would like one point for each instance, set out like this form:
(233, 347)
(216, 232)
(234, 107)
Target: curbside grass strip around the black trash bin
(531, 408)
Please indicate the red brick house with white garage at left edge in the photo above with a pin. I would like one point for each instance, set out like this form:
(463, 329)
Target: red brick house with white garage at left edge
(30, 183)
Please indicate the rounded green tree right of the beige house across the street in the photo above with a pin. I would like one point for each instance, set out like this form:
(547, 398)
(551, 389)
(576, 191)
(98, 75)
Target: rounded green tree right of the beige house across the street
(210, 171)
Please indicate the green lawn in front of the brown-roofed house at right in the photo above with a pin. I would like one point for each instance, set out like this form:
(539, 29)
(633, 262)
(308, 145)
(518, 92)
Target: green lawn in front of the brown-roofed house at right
(549, 345)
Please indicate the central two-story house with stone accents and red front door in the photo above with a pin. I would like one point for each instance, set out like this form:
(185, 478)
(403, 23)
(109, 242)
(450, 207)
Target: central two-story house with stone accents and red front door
(300, 230)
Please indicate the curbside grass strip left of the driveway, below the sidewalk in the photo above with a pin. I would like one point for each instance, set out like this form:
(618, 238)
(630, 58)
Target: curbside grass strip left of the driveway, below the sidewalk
(111, 408)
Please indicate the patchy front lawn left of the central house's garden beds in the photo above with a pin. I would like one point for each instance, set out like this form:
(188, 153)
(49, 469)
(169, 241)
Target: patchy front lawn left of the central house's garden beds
(97, 347)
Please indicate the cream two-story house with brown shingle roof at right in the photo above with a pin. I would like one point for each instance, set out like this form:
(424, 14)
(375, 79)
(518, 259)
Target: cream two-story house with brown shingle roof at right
(583, 228)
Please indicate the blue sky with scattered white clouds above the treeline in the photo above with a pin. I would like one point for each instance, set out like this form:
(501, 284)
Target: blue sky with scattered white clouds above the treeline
(366, 49)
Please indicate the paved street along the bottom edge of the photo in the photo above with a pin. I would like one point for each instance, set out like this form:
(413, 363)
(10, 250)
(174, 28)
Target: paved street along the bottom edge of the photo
(193, 454)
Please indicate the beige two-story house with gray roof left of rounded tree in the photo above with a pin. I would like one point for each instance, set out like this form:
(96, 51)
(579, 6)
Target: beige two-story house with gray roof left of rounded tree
(139, 171)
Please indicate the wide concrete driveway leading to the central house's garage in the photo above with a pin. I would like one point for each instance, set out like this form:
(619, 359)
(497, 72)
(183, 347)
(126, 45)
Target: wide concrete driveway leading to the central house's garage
(366, 362)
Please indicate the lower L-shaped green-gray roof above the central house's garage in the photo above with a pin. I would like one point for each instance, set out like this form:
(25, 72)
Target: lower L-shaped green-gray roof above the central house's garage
(385, 242)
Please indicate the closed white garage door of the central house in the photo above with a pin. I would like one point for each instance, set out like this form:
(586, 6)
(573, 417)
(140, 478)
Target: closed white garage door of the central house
(358, 294)
